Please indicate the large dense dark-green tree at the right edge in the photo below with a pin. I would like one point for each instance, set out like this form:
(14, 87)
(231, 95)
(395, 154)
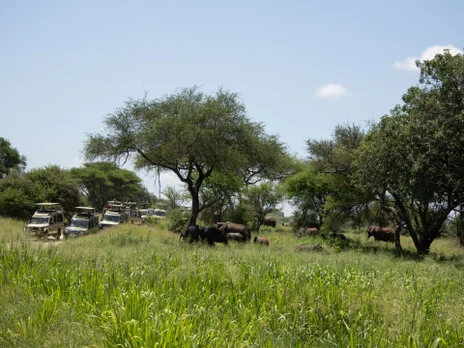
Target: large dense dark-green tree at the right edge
(414, 158)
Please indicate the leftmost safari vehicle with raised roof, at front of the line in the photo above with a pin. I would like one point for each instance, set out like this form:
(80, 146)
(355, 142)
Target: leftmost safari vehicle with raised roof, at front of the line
(47, 221)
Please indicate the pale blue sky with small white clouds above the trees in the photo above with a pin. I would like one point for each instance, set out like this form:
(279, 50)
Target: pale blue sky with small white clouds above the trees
(300, 67)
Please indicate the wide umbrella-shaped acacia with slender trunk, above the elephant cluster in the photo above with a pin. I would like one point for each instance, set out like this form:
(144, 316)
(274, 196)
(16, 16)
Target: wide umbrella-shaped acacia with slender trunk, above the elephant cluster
(191, 135)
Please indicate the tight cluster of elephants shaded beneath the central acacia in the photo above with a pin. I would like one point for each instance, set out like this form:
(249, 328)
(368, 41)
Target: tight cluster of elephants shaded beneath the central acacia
(221, 233)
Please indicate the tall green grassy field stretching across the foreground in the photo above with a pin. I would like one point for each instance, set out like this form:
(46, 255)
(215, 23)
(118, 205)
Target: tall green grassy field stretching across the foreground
(138, 286)
